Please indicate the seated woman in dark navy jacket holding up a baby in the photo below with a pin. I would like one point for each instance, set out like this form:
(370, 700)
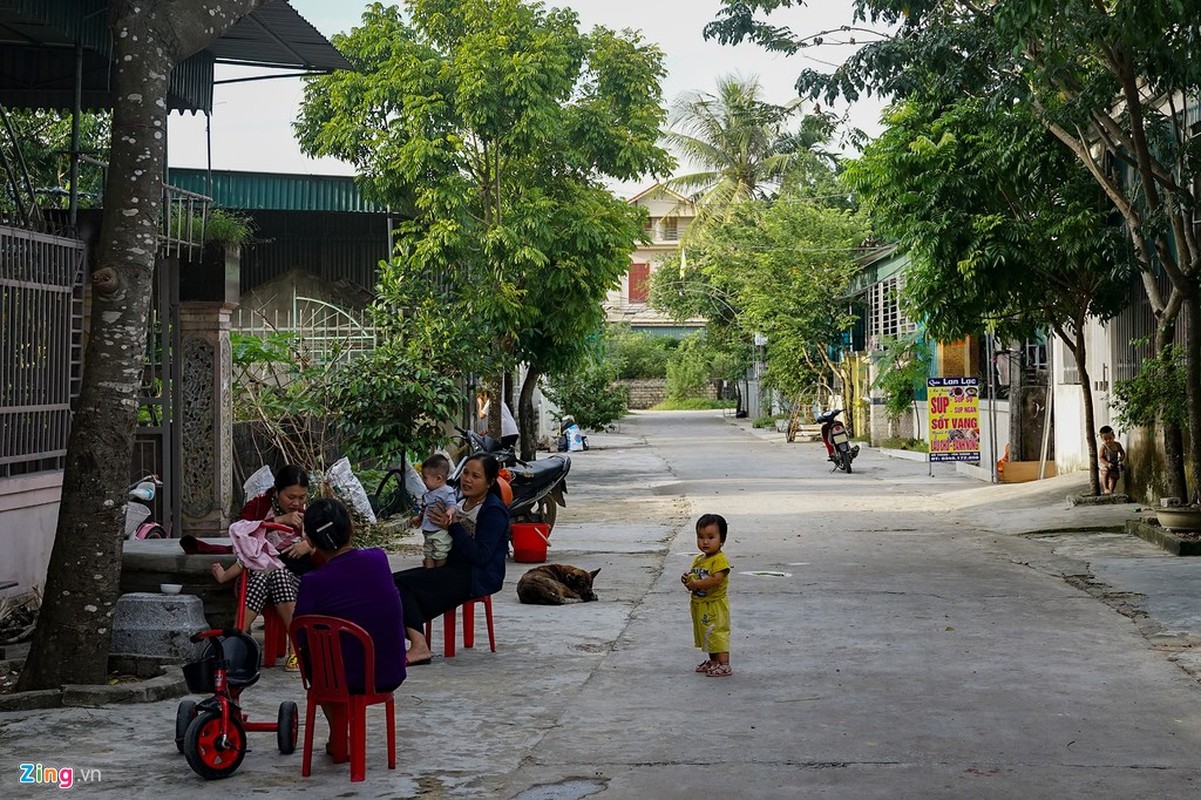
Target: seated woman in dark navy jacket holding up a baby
(476, 565)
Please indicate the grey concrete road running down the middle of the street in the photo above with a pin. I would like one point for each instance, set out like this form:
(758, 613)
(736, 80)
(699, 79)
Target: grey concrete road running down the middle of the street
(894, 637)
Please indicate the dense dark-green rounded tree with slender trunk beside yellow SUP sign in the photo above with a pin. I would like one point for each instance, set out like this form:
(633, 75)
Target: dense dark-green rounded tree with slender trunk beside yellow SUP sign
(1006, 229)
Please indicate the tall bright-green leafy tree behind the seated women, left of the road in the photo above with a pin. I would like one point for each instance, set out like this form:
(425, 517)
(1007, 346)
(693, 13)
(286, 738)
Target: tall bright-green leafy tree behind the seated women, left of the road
(497, 123)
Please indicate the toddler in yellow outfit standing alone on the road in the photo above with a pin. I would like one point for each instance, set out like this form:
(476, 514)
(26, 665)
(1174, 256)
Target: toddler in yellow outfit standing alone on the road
(708, 581)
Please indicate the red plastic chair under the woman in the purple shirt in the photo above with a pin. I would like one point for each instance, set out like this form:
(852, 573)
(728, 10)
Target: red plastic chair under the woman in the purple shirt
(325, 678)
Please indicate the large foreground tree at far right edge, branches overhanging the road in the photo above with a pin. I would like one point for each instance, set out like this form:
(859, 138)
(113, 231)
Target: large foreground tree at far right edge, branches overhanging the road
(1112, 81)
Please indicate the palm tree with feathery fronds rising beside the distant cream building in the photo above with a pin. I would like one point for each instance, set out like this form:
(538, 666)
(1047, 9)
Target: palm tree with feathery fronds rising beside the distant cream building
(743, 145)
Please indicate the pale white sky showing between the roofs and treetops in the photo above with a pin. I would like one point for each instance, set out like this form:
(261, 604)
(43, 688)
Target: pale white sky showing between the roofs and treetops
(252, 123)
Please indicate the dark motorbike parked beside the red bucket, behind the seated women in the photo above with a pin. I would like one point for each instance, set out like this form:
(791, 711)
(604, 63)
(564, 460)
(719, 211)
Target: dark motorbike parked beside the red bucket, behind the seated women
(539, 487)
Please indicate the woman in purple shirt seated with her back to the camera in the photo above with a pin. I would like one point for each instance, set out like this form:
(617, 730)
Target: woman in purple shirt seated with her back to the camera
(354, 586)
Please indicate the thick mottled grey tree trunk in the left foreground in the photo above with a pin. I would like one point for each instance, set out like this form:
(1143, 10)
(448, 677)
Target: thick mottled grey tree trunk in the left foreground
(82, 586)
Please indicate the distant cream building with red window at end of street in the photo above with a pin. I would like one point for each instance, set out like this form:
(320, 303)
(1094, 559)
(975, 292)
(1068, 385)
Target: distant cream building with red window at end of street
(671, 214)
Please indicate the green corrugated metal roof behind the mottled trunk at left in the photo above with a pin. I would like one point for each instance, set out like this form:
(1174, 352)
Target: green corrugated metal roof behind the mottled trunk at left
(274, 192)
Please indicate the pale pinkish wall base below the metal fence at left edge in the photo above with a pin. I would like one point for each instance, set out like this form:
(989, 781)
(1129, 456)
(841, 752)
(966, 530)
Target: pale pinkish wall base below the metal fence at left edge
(29, 517)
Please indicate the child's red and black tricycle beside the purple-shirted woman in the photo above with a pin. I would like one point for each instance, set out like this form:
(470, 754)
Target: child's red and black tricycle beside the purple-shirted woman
(212, 735)
